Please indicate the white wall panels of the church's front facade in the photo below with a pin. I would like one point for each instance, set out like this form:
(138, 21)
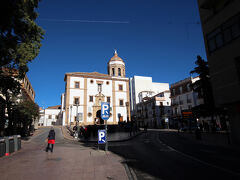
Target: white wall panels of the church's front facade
(92, 90)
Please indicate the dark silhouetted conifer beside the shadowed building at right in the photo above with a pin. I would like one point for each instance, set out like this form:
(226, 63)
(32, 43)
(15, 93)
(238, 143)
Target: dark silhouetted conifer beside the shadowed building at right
(204, 89)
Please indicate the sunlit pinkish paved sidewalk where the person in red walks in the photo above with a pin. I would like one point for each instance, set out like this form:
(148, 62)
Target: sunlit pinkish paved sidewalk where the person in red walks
(69, 161)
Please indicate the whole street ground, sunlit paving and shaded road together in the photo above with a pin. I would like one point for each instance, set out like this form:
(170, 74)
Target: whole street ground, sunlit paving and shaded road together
(151, 155)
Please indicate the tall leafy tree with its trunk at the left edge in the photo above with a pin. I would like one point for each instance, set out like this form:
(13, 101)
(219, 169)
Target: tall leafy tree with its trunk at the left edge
(20, 42)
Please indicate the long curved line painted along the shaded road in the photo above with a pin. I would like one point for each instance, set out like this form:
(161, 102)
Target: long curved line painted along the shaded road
(203, 162)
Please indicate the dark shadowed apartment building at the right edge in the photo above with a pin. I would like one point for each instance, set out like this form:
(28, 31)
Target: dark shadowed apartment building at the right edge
(220, 21)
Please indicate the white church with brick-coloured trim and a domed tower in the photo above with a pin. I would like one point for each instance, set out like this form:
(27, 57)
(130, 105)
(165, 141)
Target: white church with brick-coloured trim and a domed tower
(84, 93)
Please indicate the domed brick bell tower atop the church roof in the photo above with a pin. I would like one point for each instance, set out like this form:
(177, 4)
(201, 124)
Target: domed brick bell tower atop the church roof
(116, 66)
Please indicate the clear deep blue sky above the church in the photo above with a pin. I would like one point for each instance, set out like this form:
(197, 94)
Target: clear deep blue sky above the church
(155, 38)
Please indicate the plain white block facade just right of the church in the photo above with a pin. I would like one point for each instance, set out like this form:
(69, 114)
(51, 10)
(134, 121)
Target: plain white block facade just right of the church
(141, 86)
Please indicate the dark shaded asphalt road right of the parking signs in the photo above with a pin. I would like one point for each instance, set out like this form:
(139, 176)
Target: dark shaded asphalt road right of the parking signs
(150, 158)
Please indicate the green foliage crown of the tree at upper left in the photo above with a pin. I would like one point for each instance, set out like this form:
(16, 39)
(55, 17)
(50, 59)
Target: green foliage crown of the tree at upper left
(20, 36)
